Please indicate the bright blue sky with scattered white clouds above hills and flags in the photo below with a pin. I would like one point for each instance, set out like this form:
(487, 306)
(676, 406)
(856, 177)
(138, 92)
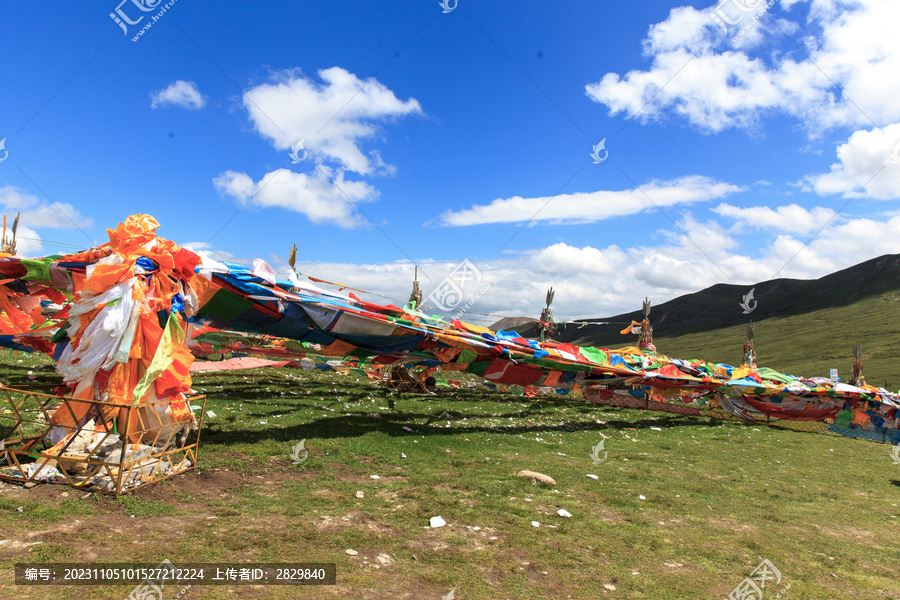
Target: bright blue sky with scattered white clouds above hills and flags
(761, 148)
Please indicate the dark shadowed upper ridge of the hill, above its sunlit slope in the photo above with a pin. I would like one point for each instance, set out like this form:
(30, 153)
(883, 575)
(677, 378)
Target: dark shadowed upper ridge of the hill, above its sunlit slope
(719, 306)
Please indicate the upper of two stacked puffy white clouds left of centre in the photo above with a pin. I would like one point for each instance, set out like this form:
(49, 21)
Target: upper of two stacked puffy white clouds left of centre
(332, 117)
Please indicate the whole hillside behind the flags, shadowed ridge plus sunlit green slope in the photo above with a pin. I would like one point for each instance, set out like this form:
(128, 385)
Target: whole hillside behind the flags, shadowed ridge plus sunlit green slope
(803, 327)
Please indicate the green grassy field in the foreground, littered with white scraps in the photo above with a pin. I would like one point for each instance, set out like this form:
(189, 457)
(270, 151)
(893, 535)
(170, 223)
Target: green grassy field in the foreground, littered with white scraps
(681, 507)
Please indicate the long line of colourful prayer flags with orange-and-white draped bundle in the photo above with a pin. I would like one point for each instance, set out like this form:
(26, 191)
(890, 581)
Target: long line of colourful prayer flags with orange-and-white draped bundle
(116, 320)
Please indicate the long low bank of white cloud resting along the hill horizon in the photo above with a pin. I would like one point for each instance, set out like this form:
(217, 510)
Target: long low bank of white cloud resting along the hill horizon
(605, 281)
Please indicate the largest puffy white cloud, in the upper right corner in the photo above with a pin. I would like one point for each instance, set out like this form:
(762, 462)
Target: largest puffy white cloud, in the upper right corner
(694, 73)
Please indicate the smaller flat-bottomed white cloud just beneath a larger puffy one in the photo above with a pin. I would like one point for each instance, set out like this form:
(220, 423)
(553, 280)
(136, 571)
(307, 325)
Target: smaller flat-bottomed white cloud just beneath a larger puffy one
(323, 196)
